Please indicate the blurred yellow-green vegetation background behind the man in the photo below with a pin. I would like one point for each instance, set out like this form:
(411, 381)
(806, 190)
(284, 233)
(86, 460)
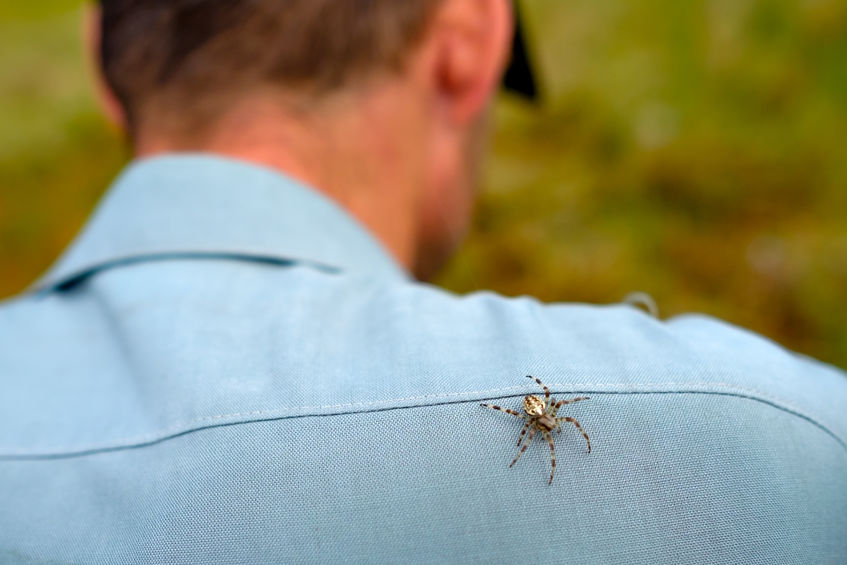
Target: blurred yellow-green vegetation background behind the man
(690, 149)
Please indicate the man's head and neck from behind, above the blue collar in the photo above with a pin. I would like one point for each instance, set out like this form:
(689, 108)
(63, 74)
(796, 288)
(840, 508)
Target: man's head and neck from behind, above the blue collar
(349, 95)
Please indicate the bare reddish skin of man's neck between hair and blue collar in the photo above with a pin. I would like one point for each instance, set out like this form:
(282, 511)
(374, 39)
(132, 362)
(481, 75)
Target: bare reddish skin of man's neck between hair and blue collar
(355, 158)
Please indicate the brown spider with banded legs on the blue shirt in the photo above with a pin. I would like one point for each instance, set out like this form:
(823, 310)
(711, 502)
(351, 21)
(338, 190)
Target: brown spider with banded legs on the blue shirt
(541, 417)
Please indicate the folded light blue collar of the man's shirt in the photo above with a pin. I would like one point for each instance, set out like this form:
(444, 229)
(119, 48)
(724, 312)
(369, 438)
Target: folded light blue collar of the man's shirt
(203, 205)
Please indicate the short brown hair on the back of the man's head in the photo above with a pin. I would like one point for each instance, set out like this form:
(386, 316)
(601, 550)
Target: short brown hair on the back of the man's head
(192, 57)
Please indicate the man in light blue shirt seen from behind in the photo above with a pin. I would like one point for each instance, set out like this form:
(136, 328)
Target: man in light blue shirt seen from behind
(233, 363)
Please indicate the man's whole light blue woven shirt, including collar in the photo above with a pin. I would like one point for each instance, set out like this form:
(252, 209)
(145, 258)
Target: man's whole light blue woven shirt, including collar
(224, 367)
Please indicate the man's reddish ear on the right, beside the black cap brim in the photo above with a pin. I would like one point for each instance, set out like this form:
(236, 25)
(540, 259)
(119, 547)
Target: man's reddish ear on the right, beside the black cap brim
(471, 39)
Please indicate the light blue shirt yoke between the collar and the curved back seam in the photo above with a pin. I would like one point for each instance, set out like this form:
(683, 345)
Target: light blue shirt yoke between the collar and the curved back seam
(218, 341)
